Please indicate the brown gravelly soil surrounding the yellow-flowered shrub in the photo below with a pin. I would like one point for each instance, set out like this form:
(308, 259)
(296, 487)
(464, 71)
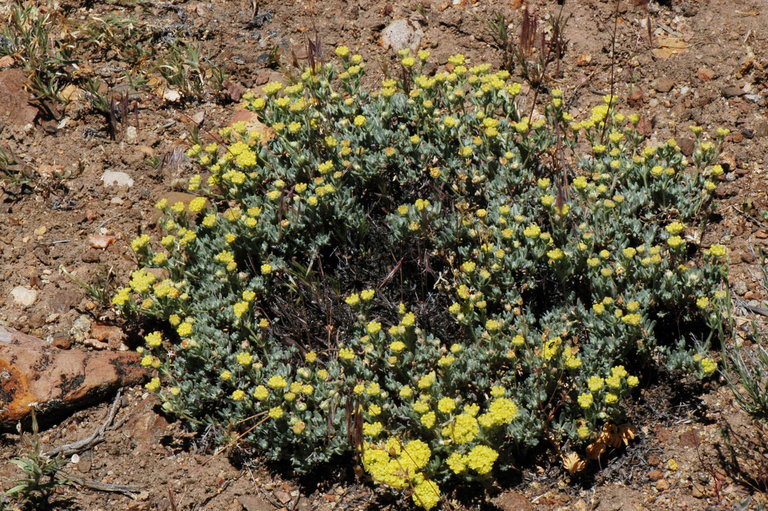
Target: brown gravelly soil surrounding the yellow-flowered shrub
(79, 179)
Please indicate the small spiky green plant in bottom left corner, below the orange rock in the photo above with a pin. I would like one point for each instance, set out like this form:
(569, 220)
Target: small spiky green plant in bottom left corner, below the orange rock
(34, 489)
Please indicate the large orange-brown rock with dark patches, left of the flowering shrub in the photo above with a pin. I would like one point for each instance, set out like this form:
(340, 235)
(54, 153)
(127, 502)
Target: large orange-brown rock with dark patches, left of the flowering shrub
(33, 371)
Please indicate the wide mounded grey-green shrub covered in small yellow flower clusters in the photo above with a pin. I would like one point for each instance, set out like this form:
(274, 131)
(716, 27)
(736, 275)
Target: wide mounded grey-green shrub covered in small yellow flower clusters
(410, 275)
